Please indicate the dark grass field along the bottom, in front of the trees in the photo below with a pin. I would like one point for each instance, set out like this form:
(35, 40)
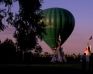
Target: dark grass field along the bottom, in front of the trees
(63, 68)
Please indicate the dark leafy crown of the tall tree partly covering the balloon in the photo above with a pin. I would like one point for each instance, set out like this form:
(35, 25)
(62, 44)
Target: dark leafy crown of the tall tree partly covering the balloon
(27, 22)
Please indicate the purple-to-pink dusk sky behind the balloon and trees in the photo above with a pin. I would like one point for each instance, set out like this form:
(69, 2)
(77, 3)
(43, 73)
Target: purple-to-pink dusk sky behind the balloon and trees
(83, 14)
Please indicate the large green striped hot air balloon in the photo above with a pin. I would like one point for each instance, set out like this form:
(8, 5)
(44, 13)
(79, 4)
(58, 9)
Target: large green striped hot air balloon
(59, 22)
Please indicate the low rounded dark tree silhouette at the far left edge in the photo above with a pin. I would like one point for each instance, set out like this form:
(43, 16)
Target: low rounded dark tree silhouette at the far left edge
(7, 52)
